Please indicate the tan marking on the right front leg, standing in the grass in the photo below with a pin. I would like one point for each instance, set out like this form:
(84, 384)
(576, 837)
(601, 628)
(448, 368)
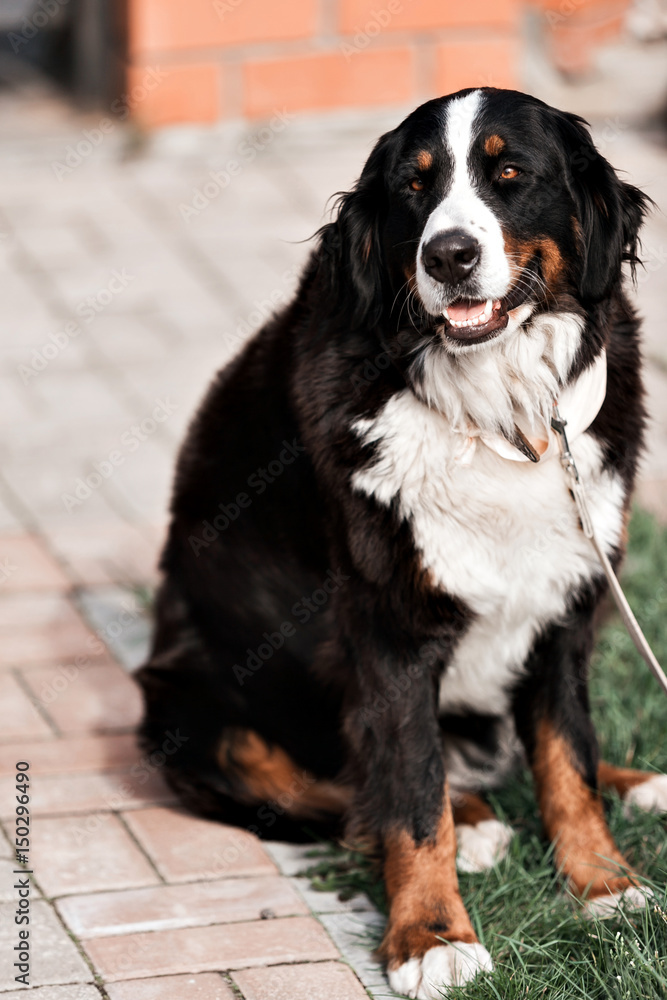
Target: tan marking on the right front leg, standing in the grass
(574, 820)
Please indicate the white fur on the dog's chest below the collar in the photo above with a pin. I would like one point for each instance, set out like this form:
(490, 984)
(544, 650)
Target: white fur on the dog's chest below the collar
(502, 536)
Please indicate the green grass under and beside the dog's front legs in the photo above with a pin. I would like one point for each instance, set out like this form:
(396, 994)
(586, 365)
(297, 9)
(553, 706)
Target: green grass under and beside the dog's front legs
(541, 945)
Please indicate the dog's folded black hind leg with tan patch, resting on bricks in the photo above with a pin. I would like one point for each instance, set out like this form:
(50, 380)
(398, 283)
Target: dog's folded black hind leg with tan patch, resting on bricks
(217, 756)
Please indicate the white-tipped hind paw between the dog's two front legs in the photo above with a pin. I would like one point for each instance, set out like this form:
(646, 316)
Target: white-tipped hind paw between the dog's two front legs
(483, 840)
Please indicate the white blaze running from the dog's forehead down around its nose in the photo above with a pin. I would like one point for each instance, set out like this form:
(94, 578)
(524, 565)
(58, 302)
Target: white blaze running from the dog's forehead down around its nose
(462, 208)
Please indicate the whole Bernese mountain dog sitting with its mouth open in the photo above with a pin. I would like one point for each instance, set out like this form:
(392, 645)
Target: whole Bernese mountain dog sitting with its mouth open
(377, 595)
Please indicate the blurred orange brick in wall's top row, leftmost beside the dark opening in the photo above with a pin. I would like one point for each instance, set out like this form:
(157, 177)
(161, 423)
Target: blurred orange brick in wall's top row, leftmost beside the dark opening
(173, 26)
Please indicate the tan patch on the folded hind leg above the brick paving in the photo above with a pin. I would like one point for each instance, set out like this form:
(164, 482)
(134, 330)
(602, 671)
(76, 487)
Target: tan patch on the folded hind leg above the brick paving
(267, 773)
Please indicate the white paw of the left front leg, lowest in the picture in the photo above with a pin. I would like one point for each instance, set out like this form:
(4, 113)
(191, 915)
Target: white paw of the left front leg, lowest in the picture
(446, 965)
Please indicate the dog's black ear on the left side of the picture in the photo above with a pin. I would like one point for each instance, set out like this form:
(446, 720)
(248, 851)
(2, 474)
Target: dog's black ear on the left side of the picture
(350, 255)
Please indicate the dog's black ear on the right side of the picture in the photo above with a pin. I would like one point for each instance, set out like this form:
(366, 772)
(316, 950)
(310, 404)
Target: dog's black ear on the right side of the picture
(609, 212)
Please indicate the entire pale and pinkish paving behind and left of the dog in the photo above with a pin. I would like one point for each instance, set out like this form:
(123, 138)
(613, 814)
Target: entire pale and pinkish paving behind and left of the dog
(129, 273)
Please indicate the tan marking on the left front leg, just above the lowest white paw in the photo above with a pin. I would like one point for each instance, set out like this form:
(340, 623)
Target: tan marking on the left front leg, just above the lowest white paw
(423, 891)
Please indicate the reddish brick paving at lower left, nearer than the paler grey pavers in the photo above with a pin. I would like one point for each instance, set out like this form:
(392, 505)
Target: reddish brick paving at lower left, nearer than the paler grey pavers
(131, 898)
